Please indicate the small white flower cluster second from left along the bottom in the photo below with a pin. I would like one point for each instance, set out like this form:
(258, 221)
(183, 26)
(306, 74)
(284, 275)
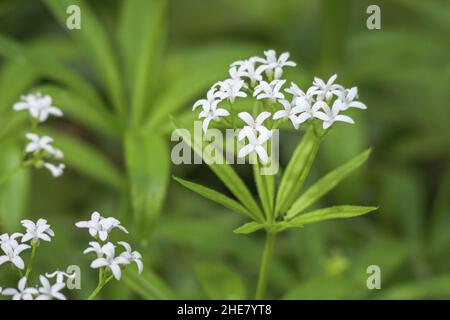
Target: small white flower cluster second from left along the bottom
(106, 257)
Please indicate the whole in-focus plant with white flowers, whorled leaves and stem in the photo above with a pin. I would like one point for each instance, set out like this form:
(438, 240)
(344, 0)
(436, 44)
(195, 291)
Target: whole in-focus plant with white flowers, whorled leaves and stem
(315, 110)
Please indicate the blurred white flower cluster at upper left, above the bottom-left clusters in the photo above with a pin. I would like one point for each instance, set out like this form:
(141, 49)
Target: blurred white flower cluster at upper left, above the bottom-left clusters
(39, 151)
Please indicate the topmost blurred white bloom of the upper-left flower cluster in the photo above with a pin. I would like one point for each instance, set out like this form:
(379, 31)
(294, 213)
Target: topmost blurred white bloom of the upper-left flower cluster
(39, 106)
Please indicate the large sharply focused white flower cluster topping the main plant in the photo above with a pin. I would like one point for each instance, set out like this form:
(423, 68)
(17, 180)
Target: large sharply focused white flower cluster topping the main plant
(260, 78)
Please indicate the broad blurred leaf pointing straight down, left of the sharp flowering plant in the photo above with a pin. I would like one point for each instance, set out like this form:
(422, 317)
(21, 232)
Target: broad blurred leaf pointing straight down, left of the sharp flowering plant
(148, 165)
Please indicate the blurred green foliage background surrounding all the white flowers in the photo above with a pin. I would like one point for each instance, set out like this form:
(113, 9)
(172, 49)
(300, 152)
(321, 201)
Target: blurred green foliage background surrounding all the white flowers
(136, 62)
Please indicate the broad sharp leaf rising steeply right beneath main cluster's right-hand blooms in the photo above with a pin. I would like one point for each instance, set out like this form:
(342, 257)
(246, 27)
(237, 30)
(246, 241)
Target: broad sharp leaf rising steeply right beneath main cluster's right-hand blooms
(297, 170)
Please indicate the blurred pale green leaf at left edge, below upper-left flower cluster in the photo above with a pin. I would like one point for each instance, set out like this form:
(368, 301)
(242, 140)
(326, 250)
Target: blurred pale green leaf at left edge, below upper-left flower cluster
(14, 190)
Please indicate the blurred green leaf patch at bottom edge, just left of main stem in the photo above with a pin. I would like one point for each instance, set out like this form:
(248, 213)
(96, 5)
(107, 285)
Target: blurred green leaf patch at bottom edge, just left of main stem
(220, 282)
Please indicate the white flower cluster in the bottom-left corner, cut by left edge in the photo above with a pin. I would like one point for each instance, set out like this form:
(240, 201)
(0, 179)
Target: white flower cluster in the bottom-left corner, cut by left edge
(13, 246)
